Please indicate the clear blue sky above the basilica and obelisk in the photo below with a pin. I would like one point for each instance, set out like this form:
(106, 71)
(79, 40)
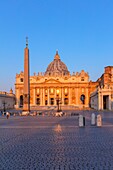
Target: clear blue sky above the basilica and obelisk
(81, 31)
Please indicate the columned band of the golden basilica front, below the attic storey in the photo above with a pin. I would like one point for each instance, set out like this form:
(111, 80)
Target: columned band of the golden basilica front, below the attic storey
(66, 95)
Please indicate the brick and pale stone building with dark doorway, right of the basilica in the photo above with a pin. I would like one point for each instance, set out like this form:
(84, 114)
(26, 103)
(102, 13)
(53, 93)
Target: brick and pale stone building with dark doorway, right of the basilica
(102, 97)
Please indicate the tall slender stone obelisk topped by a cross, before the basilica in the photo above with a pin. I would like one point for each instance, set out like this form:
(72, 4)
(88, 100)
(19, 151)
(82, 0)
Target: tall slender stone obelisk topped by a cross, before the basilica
(26, 89)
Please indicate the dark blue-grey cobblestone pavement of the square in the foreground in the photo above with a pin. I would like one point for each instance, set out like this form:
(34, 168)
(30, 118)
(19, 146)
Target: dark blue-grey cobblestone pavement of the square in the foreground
(56, 143)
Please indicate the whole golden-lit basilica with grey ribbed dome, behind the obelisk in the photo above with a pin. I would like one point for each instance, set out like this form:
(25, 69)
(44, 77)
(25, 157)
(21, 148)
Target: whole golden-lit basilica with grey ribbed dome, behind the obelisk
(56, 87)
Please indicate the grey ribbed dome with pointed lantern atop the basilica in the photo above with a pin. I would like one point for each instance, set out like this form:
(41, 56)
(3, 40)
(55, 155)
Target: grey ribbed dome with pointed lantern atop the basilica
(57, 67)
